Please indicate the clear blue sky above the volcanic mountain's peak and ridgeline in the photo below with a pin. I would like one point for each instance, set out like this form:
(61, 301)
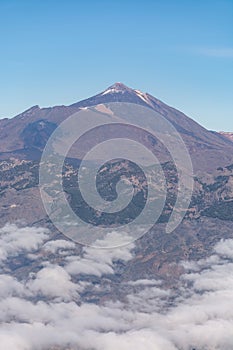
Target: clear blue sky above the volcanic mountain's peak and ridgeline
(59, 52)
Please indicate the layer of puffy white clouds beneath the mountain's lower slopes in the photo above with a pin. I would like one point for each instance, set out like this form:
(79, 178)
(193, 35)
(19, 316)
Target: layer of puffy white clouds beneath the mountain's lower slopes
(42, 309)
